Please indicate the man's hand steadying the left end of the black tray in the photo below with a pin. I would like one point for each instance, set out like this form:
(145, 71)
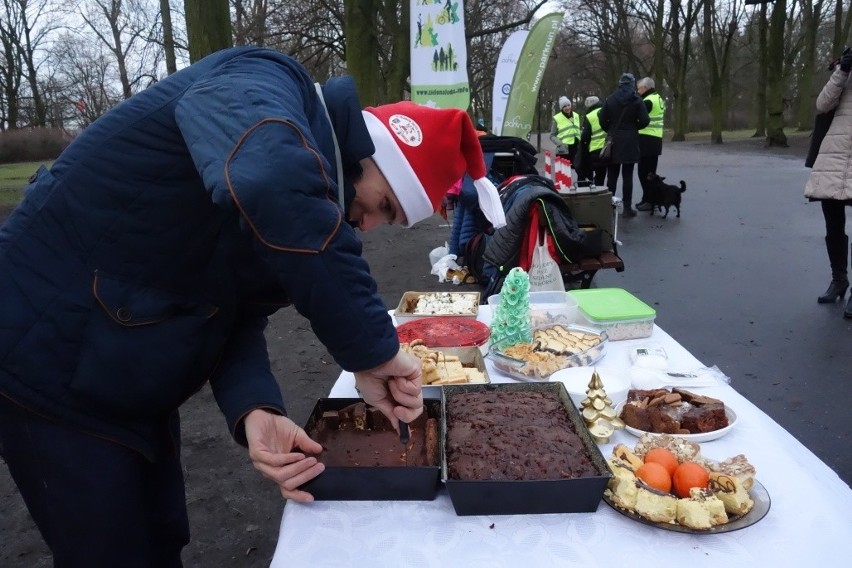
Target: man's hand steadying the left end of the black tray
(272, 439)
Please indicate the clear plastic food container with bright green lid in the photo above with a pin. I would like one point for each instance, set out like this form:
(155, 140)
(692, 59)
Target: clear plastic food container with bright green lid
(615, 310)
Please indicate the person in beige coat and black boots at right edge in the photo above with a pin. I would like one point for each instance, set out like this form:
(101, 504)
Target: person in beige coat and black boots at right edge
(830, 181)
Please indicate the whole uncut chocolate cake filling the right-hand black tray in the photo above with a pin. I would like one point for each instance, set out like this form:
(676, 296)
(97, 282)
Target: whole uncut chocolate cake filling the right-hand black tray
(520, 435)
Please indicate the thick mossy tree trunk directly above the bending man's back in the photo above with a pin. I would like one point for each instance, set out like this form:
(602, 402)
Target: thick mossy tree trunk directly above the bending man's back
(208, 25)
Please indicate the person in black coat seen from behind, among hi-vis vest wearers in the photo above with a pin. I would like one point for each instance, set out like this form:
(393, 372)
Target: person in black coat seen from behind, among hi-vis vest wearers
(623, 115)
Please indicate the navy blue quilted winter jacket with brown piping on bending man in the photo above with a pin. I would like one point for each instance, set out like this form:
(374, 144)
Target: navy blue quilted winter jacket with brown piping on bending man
(147, 259)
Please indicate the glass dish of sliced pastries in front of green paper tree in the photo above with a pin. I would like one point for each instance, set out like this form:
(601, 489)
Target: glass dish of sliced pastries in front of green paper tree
(553, 348)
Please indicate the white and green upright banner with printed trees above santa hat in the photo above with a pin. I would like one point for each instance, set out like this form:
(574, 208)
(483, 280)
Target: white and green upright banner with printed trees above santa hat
(439, 54)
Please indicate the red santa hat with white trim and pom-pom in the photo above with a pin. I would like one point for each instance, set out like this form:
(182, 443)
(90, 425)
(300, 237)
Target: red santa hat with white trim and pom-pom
(422, 151)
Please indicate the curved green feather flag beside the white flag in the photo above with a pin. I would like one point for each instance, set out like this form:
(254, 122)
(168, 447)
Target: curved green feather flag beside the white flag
(520, 108)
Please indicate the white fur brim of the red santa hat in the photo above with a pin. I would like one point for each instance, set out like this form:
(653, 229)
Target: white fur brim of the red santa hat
(398, 172)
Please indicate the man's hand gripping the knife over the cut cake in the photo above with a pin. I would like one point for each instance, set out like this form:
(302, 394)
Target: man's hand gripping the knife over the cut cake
(394, 388)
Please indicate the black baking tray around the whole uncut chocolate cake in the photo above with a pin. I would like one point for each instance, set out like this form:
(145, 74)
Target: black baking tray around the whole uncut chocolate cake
(579, 495)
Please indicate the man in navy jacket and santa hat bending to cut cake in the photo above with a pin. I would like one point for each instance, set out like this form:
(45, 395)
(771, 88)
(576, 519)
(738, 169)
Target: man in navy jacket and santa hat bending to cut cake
(145, 262)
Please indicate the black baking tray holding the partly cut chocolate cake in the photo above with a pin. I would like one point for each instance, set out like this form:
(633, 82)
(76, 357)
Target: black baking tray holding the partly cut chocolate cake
(374, 483)
